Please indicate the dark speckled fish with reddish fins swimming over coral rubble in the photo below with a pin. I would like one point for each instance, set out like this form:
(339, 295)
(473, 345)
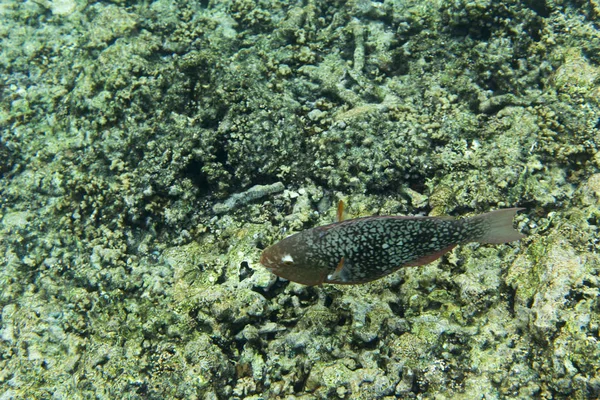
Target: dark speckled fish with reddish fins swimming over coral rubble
(361, 250)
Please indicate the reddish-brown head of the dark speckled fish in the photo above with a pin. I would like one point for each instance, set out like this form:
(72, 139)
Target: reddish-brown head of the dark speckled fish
(290, 259)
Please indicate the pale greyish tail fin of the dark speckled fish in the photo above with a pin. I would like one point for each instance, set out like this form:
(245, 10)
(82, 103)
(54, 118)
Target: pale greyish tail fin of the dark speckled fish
(498, 226)
